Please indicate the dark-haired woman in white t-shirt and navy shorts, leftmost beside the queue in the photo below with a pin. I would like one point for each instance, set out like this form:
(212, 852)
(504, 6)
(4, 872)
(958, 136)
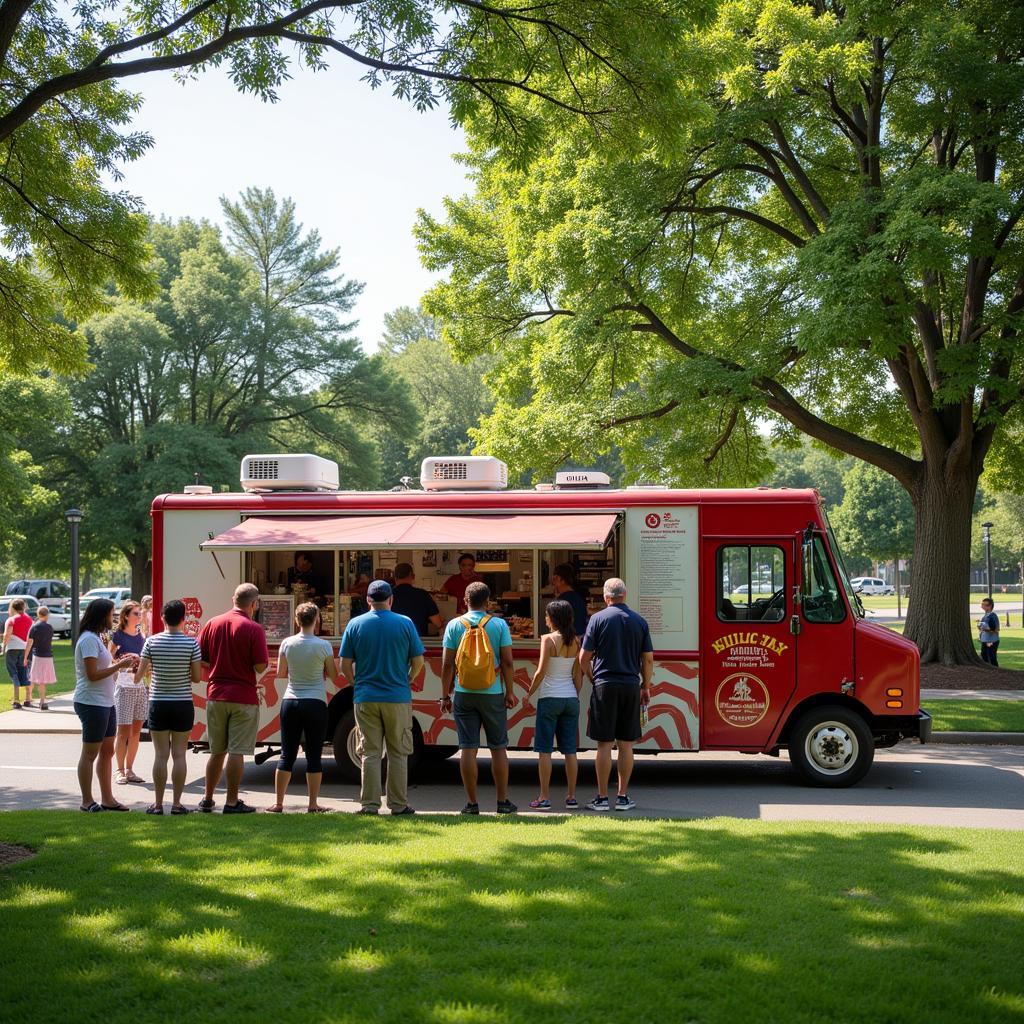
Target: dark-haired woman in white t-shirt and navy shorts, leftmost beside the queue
(94, 702)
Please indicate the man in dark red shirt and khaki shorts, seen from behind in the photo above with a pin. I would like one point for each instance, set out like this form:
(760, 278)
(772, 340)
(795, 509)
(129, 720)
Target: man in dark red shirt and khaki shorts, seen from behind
(234, 650)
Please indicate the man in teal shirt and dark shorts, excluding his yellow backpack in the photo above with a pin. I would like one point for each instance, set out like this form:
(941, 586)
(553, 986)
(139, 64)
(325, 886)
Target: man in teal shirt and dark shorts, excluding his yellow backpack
(487, 709)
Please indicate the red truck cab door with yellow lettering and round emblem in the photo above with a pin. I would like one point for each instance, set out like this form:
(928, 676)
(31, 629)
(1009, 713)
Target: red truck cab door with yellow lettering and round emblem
(750, 652)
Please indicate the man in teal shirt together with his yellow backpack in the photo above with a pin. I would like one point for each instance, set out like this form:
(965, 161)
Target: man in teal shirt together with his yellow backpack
(477, 666)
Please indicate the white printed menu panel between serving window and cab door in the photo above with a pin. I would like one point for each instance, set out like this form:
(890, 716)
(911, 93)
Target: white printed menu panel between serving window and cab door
(663, 573)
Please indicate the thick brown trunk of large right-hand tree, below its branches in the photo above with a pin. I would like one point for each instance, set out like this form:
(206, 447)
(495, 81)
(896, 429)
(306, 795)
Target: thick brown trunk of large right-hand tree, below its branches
(938, 620)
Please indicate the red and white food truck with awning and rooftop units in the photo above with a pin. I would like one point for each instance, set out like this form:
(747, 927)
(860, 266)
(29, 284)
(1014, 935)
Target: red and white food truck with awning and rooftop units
(760, 643)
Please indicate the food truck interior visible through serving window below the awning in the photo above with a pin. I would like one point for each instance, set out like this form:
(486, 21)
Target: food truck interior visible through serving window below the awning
(520, 580)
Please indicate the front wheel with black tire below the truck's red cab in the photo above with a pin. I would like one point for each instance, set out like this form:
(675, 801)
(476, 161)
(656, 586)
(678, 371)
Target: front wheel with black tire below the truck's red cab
(832, 747)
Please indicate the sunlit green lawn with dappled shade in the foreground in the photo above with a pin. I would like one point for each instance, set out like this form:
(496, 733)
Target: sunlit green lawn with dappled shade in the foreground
(135, 920)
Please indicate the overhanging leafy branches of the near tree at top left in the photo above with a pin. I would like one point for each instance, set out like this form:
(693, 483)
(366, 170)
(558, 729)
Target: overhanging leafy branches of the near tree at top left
(66, 113)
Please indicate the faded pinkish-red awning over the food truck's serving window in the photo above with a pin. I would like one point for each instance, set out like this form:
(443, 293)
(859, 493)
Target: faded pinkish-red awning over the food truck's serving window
(371, 533)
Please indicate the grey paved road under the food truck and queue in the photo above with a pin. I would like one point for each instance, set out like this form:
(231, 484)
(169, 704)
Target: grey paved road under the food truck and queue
(941, 786)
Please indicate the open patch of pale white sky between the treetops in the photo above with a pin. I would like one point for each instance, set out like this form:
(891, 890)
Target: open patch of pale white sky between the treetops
(359, 164)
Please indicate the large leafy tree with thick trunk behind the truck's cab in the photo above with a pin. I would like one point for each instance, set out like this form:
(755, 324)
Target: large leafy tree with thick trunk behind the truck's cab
(828, 239)
